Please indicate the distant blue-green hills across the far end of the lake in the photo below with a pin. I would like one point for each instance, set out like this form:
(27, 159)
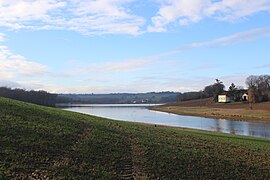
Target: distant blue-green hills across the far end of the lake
(119, 98)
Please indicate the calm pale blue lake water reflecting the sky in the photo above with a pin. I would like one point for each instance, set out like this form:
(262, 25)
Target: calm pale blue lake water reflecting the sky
(141, 113)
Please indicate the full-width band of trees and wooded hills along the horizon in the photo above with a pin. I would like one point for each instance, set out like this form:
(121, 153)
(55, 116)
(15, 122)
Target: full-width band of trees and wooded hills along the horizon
(258, 91)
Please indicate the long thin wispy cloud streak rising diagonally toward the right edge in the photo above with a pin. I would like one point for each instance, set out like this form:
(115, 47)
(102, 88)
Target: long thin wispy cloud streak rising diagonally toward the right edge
(151, 62)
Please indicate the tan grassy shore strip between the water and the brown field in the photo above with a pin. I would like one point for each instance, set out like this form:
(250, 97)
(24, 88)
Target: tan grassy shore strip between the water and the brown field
(217, 113)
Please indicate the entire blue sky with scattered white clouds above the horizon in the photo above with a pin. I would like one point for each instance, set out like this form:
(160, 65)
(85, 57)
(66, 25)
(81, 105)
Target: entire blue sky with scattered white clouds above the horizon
(114, 46)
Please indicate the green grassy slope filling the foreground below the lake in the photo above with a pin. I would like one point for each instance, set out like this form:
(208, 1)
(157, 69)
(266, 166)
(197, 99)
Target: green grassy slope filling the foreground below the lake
(43, 142)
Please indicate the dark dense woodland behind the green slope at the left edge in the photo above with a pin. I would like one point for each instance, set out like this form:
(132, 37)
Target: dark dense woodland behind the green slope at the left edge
(35, 97)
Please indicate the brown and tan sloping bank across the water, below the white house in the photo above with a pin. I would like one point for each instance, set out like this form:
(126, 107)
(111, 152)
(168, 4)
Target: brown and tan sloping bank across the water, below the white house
(206, 108)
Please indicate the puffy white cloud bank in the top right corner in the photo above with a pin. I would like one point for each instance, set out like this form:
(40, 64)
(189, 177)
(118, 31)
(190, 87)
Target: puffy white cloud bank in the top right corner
(184, 12)
